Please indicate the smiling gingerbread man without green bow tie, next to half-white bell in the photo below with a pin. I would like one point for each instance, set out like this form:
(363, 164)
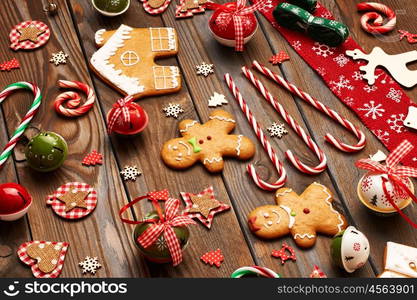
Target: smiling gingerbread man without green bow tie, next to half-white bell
(302, 216)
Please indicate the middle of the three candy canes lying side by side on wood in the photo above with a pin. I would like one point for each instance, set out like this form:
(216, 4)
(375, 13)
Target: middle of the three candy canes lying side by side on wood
(294, 125)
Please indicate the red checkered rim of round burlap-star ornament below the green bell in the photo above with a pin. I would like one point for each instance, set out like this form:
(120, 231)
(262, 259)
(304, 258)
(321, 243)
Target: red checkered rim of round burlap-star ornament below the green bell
(77, 212)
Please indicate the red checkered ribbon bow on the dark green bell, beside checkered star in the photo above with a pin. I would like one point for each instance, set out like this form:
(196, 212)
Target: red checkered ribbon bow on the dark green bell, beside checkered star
(164, 225)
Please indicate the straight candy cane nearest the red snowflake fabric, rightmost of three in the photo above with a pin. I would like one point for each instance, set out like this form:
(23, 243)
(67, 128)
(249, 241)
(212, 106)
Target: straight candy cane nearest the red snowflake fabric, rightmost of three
(321, 107)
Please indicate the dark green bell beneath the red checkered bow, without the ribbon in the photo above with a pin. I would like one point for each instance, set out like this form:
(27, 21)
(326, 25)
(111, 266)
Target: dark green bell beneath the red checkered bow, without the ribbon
(159, 252)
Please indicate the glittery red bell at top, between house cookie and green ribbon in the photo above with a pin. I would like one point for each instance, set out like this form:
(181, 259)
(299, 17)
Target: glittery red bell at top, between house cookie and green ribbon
(222, 25)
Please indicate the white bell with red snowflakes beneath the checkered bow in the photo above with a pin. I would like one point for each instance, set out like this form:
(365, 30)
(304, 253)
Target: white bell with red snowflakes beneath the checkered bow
(372, 195)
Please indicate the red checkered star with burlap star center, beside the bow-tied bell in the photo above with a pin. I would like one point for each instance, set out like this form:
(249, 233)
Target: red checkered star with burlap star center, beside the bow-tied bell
(198, 209)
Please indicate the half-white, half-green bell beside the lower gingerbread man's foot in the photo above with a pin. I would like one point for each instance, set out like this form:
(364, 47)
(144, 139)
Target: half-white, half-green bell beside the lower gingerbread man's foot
(350, 249)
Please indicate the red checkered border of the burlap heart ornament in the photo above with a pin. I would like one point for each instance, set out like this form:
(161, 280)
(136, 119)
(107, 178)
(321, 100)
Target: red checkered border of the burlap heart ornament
(24, 257)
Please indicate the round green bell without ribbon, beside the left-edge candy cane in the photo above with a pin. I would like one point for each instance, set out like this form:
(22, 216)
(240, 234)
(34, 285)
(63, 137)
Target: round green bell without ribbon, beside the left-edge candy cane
(46, 151)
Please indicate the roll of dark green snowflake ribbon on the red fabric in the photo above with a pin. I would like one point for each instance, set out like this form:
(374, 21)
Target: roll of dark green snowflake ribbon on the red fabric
(329, 32)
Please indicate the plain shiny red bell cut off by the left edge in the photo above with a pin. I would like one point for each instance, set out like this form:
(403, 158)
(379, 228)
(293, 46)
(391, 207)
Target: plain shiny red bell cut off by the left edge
(13, 198)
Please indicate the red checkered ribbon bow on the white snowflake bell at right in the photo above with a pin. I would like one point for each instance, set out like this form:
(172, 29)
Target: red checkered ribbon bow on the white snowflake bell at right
(398, 175)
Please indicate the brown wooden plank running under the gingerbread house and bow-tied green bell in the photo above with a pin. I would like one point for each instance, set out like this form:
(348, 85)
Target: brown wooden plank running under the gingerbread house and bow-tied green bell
(144, 150)
